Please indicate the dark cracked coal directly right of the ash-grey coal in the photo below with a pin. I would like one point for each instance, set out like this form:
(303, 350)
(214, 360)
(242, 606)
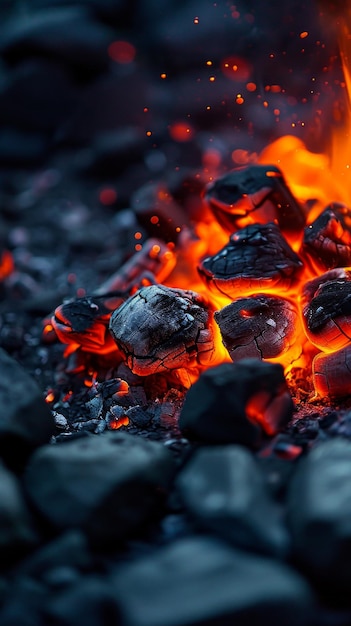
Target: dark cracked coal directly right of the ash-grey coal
(261, 326)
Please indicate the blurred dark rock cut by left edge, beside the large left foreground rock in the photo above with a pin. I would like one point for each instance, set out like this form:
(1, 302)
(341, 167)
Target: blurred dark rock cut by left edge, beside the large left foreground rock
(16, 532)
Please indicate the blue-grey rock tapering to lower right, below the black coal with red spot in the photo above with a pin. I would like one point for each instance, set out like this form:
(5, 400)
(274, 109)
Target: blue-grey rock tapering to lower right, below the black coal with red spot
(224, 491)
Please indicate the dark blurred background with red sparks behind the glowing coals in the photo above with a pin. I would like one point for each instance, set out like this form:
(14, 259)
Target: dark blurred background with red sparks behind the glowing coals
(111, 110)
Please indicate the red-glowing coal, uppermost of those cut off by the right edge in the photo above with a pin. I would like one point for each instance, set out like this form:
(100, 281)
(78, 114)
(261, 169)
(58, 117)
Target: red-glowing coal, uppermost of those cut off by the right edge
(327, 241)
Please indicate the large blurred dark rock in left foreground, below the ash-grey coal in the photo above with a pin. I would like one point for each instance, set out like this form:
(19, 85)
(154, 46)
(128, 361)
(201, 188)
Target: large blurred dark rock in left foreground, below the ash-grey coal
(109, 485)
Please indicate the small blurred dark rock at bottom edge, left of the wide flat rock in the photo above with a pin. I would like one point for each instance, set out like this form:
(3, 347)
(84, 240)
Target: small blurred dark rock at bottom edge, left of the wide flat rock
(91, 602)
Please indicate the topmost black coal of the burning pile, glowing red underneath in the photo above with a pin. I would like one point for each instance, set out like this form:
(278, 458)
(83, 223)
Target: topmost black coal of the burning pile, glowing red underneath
(255, 194)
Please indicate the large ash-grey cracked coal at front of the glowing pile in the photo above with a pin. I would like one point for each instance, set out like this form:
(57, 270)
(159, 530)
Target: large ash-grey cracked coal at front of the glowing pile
(160, 329)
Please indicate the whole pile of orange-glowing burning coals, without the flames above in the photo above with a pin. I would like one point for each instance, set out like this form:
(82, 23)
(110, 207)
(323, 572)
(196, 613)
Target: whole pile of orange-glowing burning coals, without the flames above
(262, 294)
